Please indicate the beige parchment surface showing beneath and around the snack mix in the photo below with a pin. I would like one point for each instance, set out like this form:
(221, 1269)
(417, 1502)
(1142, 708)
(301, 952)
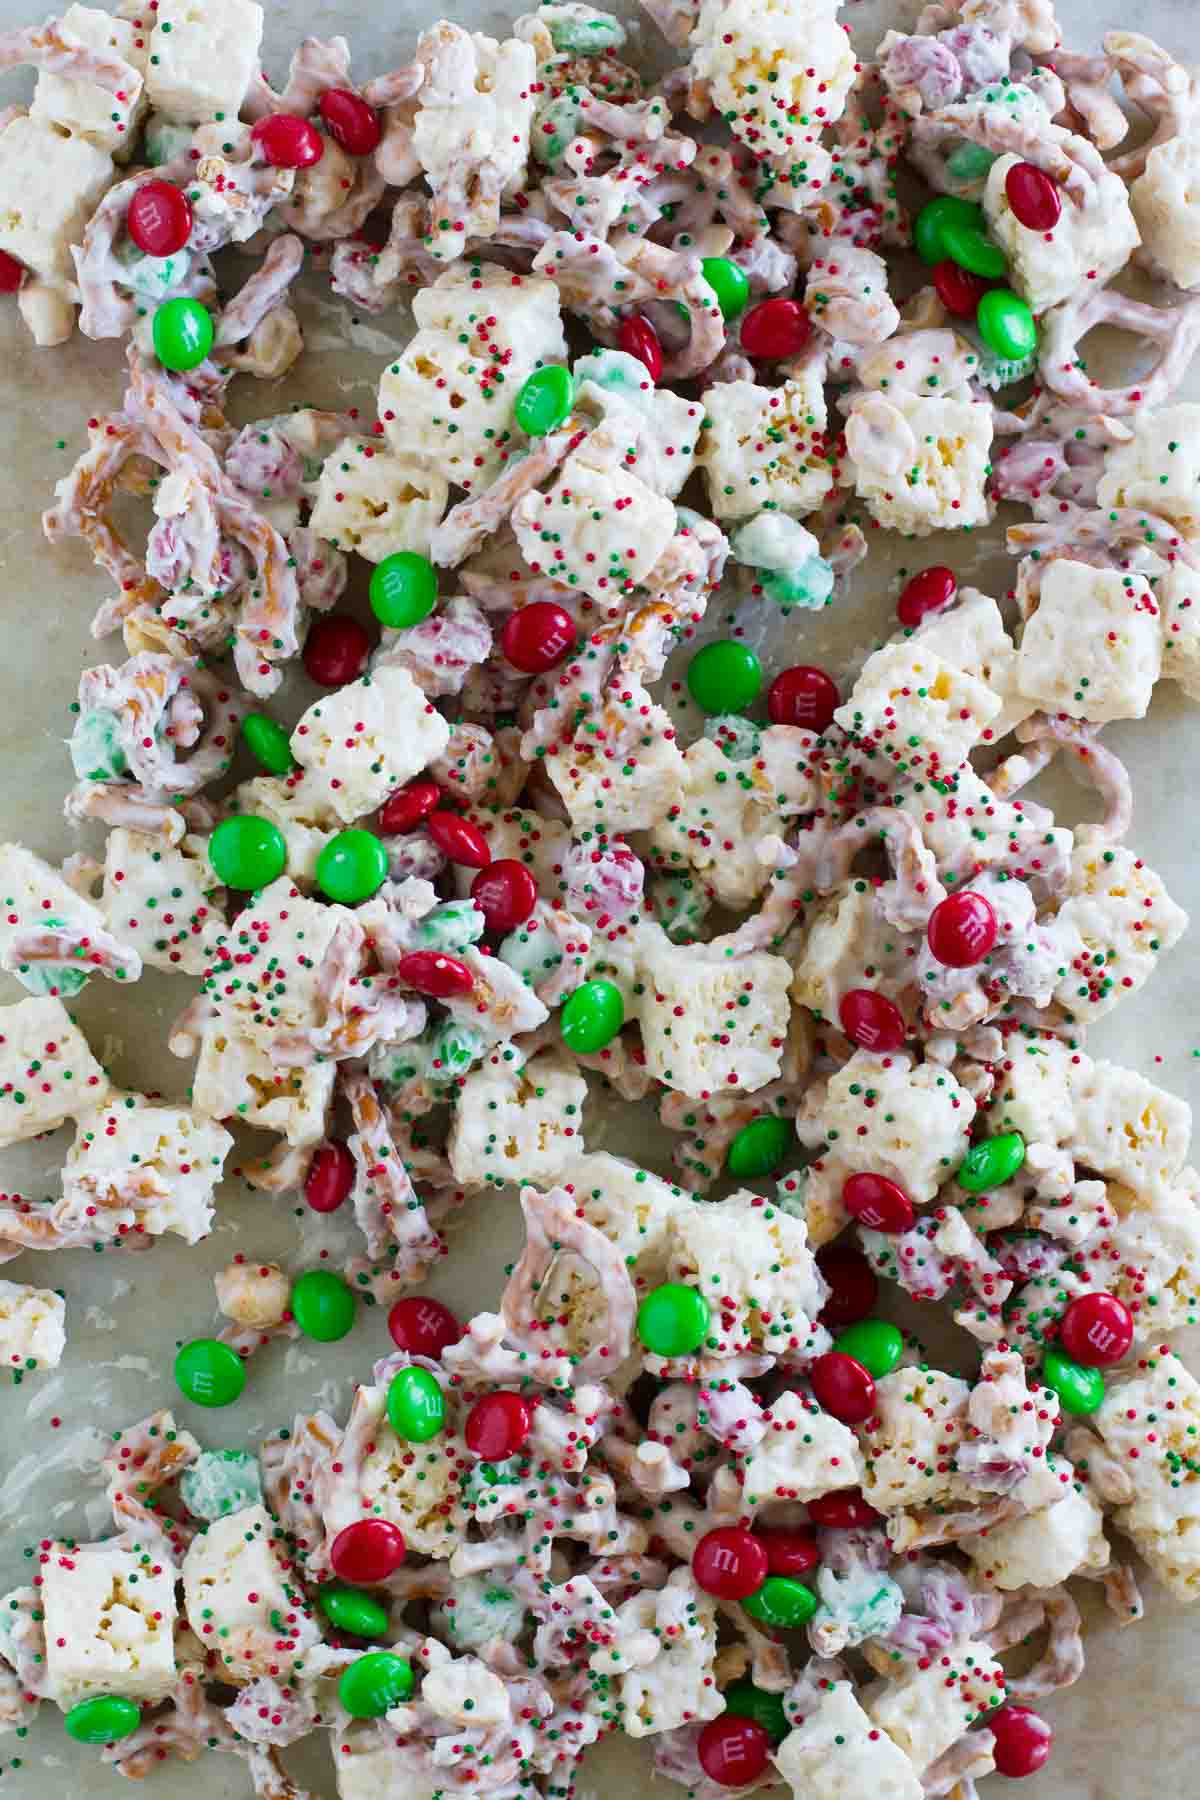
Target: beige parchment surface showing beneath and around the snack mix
(1129, 1729)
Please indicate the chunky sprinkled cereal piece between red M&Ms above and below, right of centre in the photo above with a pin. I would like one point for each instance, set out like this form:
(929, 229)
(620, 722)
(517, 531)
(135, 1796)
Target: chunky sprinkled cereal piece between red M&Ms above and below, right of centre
(884, 1115)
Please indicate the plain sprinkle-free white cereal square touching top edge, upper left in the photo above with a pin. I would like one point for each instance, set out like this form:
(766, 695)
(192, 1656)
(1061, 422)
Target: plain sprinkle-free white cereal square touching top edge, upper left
(202, 58)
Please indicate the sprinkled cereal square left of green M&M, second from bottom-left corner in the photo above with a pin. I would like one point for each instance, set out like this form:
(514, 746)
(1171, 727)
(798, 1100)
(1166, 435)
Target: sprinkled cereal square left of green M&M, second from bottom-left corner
(238, 1588)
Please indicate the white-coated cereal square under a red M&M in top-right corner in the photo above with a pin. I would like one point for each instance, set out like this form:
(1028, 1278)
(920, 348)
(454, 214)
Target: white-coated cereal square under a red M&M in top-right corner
(1086, 249)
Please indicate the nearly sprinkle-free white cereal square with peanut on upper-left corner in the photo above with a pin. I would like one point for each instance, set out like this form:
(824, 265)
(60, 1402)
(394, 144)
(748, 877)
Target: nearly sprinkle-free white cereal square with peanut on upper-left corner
(920, 463)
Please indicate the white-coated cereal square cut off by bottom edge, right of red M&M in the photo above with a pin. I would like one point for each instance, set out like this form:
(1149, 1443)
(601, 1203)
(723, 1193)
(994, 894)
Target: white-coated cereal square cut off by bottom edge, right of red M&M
(837, 1754)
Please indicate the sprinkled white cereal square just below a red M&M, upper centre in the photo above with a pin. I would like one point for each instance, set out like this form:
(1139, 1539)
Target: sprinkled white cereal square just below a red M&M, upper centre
(764, 447)
